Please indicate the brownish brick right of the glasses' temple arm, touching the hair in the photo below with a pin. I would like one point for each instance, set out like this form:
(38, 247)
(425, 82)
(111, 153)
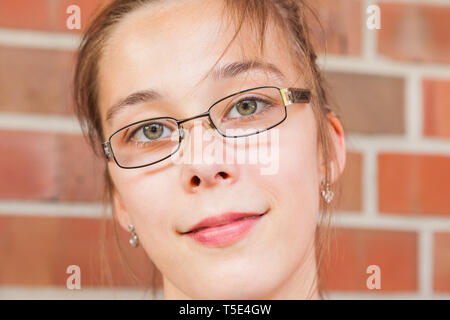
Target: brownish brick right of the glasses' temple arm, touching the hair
(363, 108)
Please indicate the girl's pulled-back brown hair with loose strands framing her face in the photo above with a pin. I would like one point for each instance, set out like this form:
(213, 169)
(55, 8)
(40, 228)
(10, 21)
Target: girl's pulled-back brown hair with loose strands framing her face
(292, 17)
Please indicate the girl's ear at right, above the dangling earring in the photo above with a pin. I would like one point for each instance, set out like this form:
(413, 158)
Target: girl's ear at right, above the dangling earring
(338, 142)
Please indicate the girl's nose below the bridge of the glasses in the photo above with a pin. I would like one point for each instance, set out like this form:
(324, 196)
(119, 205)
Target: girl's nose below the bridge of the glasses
(199, 174)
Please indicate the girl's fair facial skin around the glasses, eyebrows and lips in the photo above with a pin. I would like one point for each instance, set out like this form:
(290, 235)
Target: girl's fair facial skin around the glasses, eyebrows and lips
(169, 50)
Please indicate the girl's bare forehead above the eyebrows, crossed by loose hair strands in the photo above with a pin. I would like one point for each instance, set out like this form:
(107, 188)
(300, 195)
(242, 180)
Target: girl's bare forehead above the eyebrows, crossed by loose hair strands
(174, 45)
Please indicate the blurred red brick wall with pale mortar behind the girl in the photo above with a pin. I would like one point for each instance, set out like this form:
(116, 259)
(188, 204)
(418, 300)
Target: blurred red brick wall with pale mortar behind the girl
(393, 89)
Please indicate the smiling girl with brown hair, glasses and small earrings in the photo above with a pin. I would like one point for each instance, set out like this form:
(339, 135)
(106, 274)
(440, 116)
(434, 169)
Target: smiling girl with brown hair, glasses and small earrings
(171, 92)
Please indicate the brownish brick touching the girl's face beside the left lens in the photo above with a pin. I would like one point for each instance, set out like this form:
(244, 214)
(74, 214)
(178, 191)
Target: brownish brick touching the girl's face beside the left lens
(81, 172)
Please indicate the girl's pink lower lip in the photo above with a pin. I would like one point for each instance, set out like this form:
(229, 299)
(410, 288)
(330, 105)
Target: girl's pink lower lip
(225, 234)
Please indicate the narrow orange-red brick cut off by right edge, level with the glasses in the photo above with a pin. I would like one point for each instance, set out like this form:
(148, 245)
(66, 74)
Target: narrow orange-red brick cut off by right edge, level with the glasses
(436, 100)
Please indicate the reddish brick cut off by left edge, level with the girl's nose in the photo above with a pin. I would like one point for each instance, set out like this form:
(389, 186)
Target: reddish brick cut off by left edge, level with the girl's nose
(28, 165)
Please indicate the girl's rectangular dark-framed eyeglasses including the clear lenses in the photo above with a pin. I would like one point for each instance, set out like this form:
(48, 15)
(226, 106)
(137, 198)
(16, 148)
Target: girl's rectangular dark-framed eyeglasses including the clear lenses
(240, 114)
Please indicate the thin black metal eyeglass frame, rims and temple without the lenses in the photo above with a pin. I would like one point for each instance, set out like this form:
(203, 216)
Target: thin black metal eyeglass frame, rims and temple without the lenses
(289, 96)
